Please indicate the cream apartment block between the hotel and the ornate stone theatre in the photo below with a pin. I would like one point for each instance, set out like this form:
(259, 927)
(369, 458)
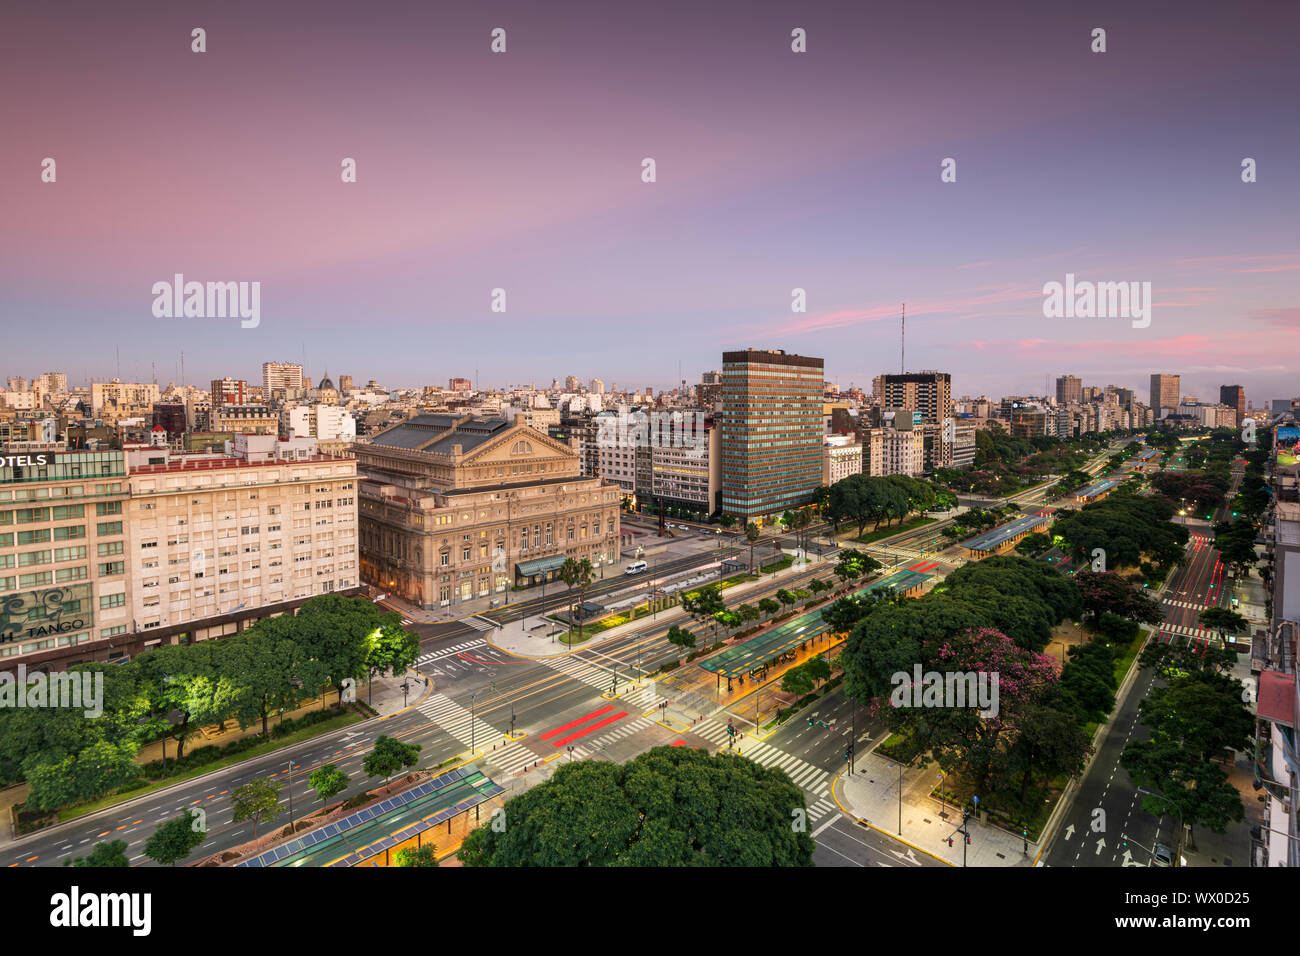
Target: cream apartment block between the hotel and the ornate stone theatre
(210, 538)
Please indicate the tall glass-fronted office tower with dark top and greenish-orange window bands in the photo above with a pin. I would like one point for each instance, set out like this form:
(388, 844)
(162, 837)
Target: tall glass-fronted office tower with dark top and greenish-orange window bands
(772, 445)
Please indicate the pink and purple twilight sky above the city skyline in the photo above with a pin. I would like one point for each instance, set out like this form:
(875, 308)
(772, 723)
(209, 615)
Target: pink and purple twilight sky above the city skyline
(774, 171)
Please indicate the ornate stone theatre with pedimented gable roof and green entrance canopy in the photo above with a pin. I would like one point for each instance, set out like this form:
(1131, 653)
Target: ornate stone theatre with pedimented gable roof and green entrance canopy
(458, 508)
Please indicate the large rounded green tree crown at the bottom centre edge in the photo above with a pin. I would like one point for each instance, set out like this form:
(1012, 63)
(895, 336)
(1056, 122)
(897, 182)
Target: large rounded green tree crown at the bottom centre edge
(669, 807)
